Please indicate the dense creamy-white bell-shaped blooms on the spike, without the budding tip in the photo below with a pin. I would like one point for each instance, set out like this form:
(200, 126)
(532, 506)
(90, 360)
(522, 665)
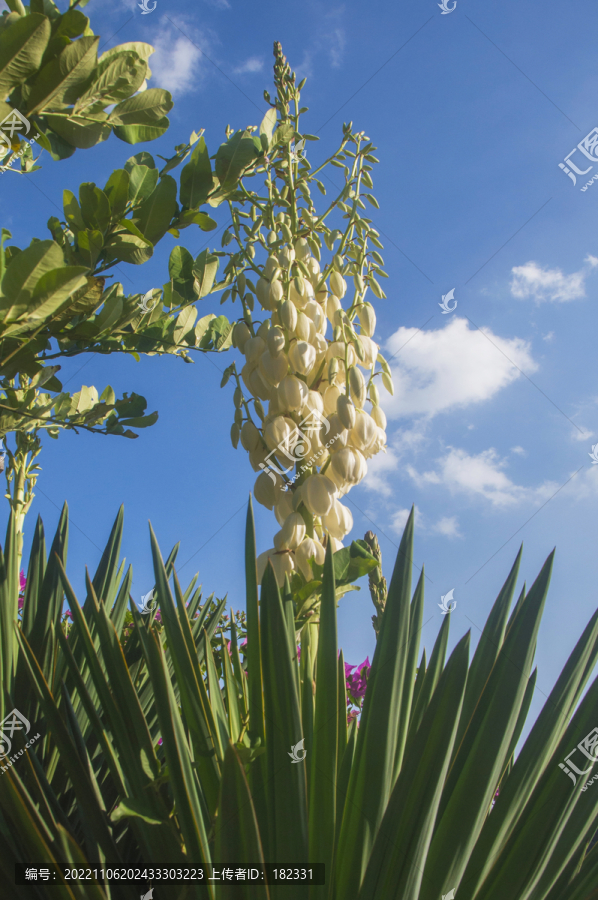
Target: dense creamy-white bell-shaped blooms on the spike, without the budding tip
(309, 395)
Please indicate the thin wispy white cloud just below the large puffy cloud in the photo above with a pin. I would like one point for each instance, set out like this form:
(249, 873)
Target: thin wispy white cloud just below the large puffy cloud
(479, 475)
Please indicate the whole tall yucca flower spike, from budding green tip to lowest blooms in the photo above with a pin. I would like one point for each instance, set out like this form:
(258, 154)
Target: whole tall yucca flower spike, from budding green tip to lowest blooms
(313, 417)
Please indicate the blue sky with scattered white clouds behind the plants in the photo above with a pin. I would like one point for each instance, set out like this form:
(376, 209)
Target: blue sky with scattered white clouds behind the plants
(496, 403)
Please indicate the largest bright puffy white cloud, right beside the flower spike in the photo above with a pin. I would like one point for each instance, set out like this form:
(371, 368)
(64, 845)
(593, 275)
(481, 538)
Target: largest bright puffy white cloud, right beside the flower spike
(454, 366)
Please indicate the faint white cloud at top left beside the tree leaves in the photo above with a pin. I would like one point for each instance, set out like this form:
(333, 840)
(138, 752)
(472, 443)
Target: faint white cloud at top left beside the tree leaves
(177, 63)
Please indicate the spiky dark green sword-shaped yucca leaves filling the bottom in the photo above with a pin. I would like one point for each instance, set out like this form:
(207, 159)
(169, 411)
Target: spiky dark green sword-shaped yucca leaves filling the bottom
(150, 754)
